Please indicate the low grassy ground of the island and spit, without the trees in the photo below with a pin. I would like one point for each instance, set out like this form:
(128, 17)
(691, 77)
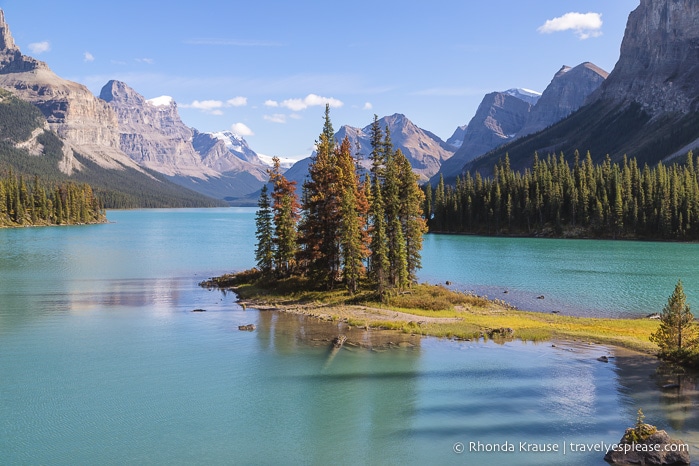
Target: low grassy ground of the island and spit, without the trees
(433, 310)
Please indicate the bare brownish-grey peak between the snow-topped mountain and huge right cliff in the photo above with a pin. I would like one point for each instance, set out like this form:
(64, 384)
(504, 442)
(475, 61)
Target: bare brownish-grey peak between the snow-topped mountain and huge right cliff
(565, 94)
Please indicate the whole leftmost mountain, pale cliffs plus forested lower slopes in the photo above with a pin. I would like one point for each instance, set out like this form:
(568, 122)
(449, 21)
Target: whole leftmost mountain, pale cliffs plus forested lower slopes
(77, 137)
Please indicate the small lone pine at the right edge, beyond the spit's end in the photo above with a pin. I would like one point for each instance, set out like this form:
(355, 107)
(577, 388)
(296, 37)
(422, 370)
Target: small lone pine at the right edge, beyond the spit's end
(677, 336)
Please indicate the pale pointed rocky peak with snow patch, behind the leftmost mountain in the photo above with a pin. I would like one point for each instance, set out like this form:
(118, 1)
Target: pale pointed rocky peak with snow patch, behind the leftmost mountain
(152, 133)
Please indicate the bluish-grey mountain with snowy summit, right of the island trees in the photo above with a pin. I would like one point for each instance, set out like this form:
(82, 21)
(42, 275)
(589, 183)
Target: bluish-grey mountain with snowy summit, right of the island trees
(498, 119)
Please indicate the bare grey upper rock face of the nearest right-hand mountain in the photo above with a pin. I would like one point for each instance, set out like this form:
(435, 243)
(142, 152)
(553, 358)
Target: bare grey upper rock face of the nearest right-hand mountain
(659, 60)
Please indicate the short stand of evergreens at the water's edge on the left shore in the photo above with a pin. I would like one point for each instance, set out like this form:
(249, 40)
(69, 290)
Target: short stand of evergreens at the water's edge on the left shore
(35, 203)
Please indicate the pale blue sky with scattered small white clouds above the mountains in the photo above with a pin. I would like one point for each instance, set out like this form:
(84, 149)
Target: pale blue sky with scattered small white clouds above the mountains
(267, 68)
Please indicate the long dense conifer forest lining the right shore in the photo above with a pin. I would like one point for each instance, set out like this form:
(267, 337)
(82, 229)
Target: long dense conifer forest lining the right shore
(582, 199)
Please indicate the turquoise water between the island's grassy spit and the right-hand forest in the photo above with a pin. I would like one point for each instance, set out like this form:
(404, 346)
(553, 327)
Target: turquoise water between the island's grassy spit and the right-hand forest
(581, 277)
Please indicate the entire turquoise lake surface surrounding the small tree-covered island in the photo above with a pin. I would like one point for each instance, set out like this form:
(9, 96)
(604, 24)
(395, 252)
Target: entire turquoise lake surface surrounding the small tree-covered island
(103, 362)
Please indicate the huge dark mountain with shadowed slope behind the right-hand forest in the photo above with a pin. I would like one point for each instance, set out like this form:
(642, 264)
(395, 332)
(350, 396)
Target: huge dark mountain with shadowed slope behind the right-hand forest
(648, 107)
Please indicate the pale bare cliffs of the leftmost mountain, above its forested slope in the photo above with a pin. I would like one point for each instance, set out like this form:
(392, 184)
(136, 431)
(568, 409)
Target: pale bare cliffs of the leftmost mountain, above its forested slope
(85, 123)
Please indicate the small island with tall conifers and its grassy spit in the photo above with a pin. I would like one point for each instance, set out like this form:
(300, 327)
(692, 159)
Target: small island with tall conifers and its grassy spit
(349, 250)
